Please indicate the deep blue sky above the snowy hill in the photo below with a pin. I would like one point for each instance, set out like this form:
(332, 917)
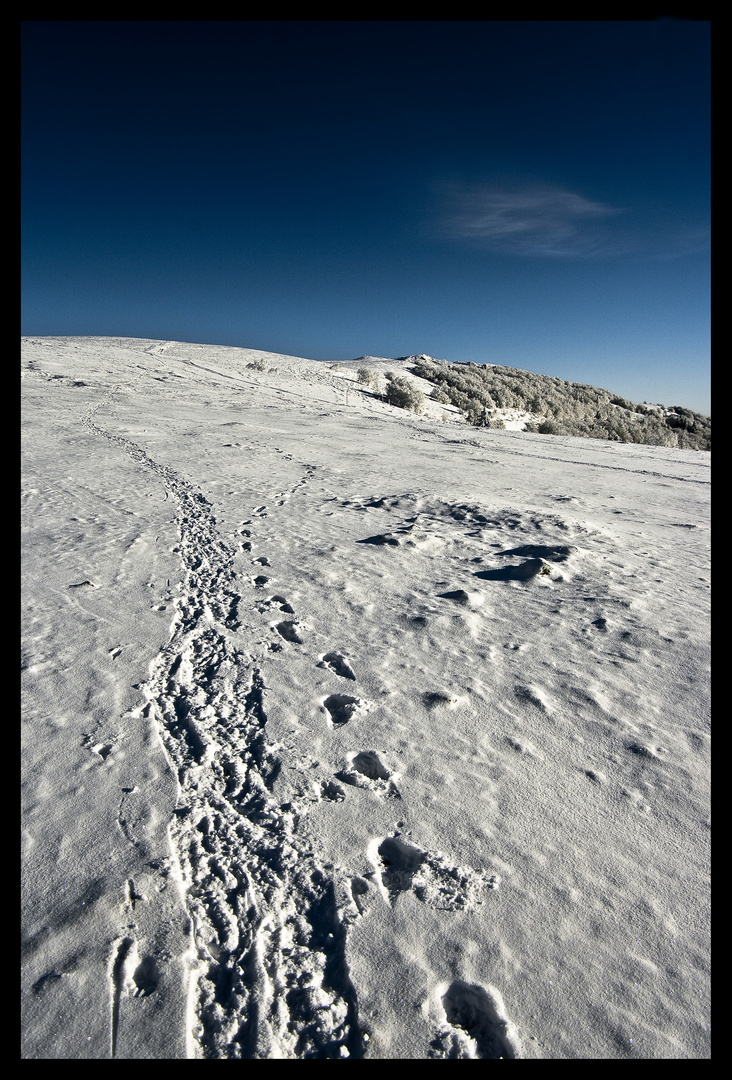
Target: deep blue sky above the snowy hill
(525, 194)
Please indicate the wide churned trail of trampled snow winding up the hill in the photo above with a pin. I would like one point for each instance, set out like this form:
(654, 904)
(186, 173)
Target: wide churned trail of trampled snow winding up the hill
(273, 980)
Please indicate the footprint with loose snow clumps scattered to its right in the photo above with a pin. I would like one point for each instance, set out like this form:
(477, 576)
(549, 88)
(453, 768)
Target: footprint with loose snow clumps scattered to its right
(403, 867)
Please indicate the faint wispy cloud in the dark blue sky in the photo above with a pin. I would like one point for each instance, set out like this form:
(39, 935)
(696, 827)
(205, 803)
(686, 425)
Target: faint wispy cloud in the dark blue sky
(531, 222)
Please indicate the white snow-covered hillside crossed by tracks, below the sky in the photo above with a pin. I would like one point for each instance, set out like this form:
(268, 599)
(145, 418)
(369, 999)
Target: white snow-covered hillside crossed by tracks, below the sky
(354, 733)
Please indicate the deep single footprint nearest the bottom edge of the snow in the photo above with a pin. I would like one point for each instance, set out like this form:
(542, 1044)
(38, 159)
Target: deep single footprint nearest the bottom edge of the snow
(476, 1024)
